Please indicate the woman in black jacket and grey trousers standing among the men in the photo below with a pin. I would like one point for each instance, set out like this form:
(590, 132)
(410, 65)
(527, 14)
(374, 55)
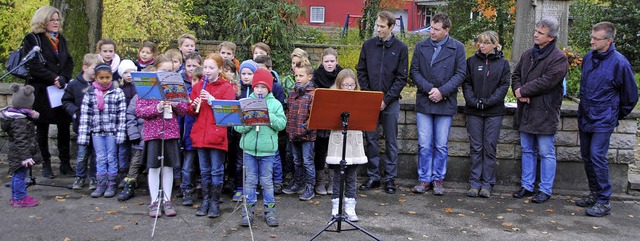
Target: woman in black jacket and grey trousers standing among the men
(484, 90)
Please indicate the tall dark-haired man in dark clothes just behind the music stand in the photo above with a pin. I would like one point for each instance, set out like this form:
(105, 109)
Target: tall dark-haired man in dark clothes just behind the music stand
(383, 67)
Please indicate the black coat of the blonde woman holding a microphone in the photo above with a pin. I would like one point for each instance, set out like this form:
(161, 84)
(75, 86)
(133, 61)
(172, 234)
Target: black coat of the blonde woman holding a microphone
(44, 74)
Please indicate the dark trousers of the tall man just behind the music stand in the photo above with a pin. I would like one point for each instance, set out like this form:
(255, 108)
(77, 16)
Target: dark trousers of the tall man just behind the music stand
(389, 120)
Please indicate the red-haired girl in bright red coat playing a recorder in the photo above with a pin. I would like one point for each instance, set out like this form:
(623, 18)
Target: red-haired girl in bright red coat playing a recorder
(210, 140)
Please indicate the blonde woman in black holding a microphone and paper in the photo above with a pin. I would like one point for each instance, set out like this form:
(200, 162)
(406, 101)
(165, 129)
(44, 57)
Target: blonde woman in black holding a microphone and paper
(55, 70)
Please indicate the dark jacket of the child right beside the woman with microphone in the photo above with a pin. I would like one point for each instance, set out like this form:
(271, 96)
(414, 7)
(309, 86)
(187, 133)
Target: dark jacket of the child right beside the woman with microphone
(72, 98)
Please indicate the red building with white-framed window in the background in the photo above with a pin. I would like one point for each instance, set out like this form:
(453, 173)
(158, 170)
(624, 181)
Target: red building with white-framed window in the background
(333, 13)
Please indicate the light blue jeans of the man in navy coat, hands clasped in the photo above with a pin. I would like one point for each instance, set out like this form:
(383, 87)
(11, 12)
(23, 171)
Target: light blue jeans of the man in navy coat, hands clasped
(433, 136)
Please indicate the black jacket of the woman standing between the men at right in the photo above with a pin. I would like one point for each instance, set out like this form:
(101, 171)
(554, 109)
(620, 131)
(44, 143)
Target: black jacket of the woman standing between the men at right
(486, 84)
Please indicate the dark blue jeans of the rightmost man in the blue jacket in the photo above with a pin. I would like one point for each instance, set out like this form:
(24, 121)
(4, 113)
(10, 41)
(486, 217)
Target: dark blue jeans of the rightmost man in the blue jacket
(593, 149)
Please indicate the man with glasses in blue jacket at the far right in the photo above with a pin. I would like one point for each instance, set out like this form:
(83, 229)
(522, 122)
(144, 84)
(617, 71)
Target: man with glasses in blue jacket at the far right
(608, 92)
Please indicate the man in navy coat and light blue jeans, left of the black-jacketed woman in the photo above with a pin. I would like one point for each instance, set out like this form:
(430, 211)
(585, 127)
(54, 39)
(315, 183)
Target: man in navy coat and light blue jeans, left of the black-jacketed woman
(438, 68)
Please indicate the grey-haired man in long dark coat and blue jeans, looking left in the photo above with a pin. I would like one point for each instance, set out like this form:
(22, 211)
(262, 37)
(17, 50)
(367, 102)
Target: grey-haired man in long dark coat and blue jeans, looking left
(537, 83)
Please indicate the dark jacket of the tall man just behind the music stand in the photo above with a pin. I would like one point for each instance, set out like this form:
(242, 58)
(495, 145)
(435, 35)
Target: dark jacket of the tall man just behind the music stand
(383, 67)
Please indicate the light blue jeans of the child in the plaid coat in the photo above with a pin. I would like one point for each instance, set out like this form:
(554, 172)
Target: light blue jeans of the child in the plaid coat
(106, 162)
